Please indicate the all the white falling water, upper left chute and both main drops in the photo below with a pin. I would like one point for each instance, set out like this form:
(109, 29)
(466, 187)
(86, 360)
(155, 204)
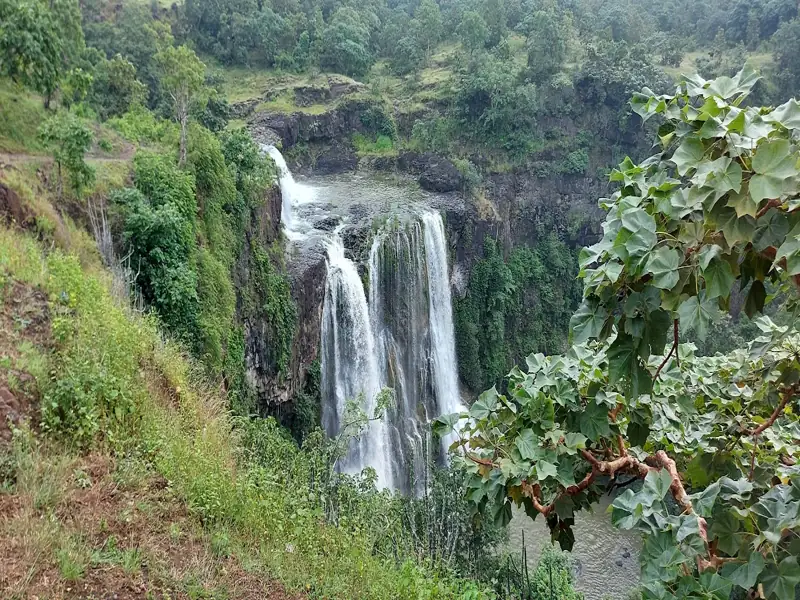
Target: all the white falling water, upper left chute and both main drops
(402, 339)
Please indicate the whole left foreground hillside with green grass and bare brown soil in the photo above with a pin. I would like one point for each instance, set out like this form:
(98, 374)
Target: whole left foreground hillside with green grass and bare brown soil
(122, 469)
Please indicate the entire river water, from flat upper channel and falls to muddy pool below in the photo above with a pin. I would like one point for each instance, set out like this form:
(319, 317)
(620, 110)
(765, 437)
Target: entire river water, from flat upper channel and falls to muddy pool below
(387, 321)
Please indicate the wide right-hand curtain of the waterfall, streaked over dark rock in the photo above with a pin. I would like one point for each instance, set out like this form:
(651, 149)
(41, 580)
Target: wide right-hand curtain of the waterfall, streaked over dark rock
(411, 313)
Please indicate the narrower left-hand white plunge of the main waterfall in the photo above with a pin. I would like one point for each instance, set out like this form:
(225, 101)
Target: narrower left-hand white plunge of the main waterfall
(349, 364)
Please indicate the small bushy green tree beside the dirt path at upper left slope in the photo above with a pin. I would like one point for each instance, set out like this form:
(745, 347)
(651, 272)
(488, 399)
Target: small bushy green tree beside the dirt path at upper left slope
(69, 140)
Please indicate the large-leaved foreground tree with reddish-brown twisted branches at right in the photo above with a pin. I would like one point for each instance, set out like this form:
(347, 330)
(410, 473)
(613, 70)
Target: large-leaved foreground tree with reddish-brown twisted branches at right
(716, 440)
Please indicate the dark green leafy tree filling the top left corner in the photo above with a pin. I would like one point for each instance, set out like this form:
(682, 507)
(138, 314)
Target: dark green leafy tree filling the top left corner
(30, 47)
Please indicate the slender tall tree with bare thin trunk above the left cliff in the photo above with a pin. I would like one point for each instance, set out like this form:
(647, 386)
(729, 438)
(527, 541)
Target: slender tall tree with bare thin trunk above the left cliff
(182, 77)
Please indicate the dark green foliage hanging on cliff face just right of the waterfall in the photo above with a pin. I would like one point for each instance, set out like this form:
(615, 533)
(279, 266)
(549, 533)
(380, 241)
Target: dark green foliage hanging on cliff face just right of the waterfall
(513, 307)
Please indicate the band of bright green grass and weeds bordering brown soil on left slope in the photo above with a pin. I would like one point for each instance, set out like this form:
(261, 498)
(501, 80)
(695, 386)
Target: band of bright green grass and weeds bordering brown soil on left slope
(116, 383)
